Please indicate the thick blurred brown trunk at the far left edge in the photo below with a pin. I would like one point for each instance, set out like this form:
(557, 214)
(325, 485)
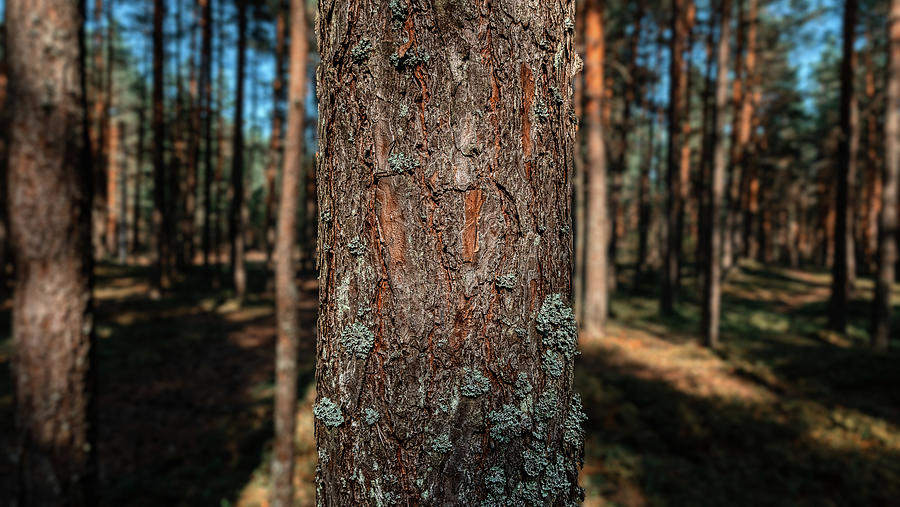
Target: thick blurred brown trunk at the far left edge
(50, 204)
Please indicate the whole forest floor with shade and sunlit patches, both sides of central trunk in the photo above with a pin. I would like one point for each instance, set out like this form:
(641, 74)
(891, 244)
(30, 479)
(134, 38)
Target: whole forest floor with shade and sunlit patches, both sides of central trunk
(782, 414)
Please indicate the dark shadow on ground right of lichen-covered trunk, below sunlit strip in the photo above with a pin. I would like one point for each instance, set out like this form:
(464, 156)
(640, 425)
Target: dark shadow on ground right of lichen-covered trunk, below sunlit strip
(650, 443)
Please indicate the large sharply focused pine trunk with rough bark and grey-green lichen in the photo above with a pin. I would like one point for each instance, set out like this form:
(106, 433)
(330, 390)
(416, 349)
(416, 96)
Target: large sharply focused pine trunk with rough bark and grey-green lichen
(446, 341)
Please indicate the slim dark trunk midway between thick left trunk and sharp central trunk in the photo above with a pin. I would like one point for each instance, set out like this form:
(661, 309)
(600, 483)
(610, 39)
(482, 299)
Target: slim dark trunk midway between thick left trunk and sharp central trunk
(206, 101)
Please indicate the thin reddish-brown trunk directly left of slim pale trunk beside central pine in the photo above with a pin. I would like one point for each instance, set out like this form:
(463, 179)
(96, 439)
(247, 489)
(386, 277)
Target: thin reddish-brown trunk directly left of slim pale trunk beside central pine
(275, 136)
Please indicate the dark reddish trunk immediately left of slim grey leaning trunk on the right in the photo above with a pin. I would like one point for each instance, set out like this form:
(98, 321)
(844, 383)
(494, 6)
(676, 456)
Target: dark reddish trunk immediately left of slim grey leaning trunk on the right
(675, 203)
